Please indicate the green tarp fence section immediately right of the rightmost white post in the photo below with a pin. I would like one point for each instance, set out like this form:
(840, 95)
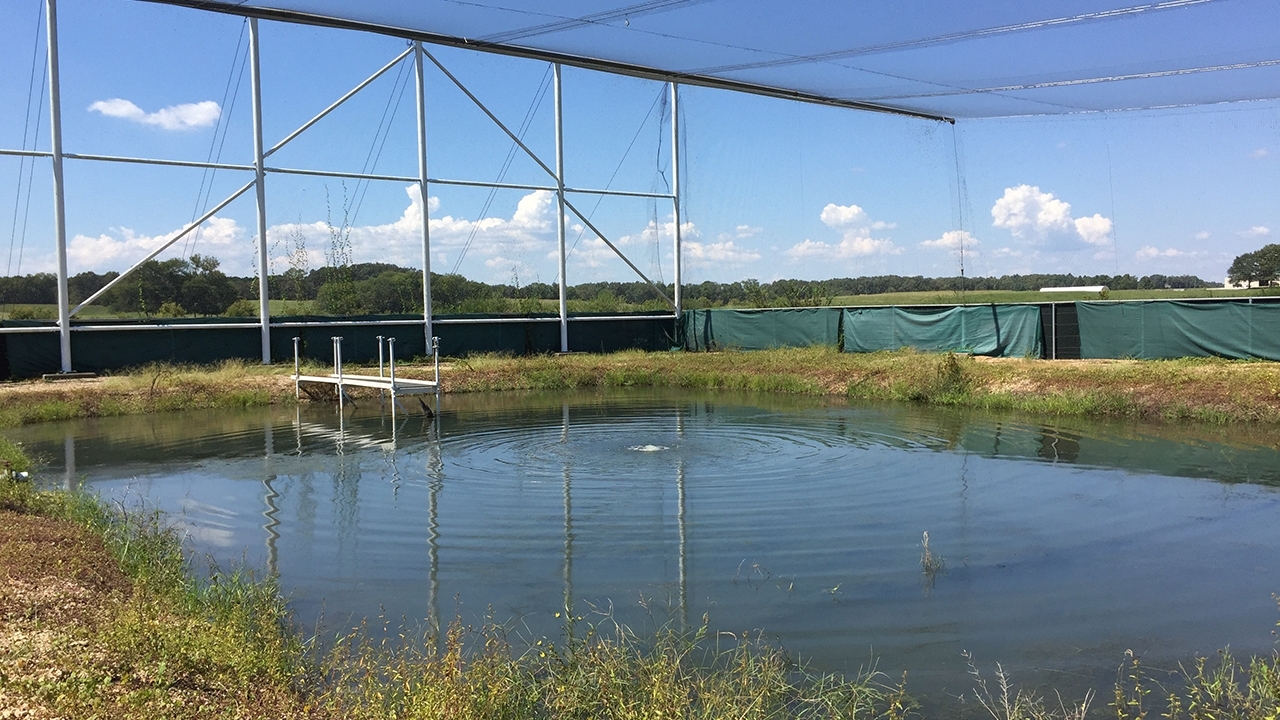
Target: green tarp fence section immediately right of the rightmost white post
(761, 330)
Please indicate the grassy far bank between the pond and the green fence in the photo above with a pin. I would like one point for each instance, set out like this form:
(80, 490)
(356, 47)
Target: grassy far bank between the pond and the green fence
(1203, 390)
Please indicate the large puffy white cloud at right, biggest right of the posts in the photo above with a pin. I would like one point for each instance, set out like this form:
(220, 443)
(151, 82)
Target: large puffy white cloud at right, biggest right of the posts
(1041, 218)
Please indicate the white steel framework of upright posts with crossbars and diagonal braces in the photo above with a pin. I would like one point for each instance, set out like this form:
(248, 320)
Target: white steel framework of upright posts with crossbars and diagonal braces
(260, 170)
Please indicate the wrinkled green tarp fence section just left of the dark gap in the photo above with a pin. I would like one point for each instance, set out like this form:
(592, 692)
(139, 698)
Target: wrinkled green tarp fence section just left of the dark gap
(1002, 331)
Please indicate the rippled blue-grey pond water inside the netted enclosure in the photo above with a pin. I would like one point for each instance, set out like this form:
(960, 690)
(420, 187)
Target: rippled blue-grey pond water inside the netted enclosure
(1064, 544)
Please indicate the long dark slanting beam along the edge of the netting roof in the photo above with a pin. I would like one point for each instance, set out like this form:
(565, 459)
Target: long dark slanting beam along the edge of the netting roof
(546, 56)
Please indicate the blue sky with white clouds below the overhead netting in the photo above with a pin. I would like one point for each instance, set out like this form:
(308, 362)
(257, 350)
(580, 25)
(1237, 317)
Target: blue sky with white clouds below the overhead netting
(772, 189)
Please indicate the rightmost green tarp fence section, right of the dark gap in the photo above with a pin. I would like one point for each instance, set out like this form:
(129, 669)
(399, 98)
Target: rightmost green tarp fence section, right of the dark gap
(1180, 330)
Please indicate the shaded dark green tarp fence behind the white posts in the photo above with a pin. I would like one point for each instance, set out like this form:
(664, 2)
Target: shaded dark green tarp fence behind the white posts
(29, 356)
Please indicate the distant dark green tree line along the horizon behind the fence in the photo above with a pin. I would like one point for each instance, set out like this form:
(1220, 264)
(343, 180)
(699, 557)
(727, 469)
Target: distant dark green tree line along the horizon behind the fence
(196, 286)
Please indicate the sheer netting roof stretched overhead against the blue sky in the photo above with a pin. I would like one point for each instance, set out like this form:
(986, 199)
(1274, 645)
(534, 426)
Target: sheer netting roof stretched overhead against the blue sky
(929, 57)
